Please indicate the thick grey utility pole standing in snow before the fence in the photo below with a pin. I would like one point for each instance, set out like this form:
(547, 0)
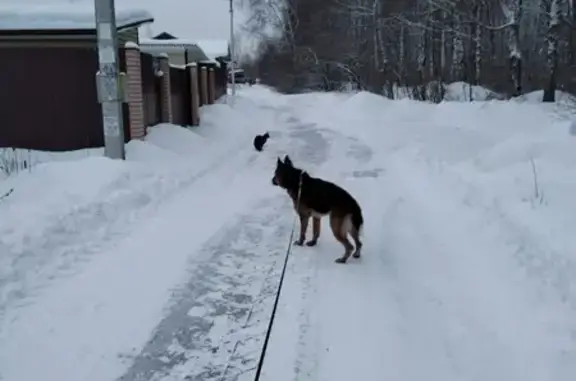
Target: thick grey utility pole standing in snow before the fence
(110, 93)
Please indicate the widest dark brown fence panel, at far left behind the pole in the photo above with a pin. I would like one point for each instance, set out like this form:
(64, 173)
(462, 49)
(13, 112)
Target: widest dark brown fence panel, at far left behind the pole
(48, 98)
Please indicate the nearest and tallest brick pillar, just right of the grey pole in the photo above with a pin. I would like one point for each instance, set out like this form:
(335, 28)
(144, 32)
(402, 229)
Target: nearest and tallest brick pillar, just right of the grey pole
(134, 92)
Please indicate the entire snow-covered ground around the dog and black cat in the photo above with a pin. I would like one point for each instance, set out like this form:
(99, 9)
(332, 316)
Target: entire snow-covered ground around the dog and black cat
(164, 267)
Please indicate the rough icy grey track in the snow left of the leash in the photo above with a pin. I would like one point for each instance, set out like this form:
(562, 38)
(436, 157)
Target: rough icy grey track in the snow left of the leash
(218, 321)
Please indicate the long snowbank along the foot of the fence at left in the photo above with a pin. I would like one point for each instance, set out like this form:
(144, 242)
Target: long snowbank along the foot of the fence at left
(60, 204)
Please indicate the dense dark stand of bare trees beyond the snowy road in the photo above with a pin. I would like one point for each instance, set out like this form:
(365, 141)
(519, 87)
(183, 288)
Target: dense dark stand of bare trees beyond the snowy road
(510, 46)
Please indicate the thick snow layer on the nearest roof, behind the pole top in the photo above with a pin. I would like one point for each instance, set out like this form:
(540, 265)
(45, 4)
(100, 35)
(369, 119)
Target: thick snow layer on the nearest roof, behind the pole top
(64, 16)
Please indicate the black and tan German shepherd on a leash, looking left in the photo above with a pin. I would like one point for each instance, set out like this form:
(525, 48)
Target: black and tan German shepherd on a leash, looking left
(317, 199)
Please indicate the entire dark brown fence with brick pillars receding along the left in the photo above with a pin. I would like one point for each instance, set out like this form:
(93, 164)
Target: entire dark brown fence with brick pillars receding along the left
(48, 97)
